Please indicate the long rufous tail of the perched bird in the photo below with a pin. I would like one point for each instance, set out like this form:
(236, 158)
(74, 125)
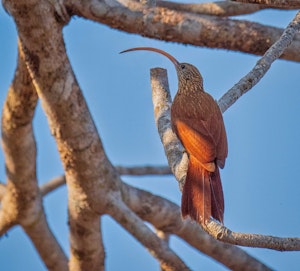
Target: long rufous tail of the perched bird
(202, 194)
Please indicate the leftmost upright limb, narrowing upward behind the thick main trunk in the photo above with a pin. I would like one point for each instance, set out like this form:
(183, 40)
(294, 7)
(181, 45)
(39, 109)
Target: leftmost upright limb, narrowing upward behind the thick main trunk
(22, 202)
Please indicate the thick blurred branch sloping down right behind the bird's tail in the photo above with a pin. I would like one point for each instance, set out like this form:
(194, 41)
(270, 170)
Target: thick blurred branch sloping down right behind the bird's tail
(165, 216)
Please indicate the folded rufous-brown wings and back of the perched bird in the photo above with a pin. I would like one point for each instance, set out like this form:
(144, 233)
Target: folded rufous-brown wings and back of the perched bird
(201, 130)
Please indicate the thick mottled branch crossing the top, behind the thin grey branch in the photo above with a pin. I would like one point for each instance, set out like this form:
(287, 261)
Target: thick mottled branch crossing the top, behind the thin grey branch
(169, 25)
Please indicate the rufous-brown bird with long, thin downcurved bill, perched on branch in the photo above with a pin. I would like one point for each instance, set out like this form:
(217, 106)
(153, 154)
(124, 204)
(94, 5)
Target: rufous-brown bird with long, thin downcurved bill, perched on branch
(197, 121)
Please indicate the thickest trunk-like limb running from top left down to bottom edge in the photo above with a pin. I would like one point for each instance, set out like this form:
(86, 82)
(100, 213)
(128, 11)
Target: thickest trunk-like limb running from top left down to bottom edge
(86, 166)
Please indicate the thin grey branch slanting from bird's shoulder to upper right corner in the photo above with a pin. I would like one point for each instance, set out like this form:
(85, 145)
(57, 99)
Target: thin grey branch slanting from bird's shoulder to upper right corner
(262, 66)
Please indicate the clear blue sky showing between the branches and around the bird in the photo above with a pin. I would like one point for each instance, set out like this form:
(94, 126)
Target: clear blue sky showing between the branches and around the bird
(261, 176)
